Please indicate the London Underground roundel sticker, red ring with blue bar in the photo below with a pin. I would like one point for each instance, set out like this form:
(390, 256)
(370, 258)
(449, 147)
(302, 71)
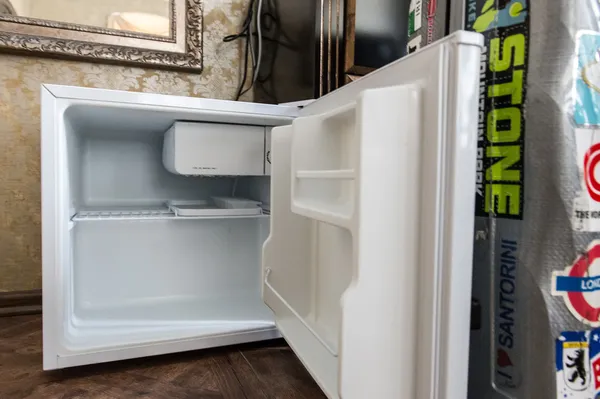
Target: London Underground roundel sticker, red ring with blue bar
(579, 285)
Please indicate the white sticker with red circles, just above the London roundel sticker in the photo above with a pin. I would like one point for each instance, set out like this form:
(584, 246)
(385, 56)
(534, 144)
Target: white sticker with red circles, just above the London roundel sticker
(586, 206)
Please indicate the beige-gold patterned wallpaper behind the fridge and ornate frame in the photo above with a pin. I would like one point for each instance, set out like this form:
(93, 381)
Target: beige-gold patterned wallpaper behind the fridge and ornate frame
(20, 79)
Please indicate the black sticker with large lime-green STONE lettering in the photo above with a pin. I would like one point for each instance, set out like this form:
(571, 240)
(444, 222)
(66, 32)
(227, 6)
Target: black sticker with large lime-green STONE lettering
(502, 93)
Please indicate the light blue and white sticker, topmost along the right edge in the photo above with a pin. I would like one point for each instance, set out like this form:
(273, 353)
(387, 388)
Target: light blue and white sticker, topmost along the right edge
(587, 80)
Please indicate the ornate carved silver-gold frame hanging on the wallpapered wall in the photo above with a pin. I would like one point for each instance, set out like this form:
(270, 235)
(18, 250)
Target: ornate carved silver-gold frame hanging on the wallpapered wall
(182, 49)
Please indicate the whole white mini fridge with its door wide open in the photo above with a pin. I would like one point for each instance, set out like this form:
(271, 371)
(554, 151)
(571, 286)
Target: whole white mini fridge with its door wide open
(345, 225)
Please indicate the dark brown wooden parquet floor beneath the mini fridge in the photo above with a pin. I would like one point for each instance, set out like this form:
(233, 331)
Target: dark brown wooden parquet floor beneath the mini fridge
(257, 371)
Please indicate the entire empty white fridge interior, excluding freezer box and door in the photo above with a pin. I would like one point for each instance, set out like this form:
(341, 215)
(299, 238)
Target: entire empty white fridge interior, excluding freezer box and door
(139, 273)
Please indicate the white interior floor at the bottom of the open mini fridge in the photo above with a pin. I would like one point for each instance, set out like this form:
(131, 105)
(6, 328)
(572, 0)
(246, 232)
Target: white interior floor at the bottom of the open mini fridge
(167, 319)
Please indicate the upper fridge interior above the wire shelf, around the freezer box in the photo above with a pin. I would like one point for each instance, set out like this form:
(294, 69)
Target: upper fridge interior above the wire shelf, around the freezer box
(115, 165)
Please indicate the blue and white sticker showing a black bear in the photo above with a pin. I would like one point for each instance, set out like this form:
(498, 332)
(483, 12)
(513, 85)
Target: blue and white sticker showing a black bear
(578, 364)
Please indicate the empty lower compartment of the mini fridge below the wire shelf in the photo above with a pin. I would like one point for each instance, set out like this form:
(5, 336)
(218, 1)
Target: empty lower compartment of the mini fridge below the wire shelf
(136, 281)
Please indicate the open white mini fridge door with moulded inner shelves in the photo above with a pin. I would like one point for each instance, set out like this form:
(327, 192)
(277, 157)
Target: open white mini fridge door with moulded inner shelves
(368, 263)
